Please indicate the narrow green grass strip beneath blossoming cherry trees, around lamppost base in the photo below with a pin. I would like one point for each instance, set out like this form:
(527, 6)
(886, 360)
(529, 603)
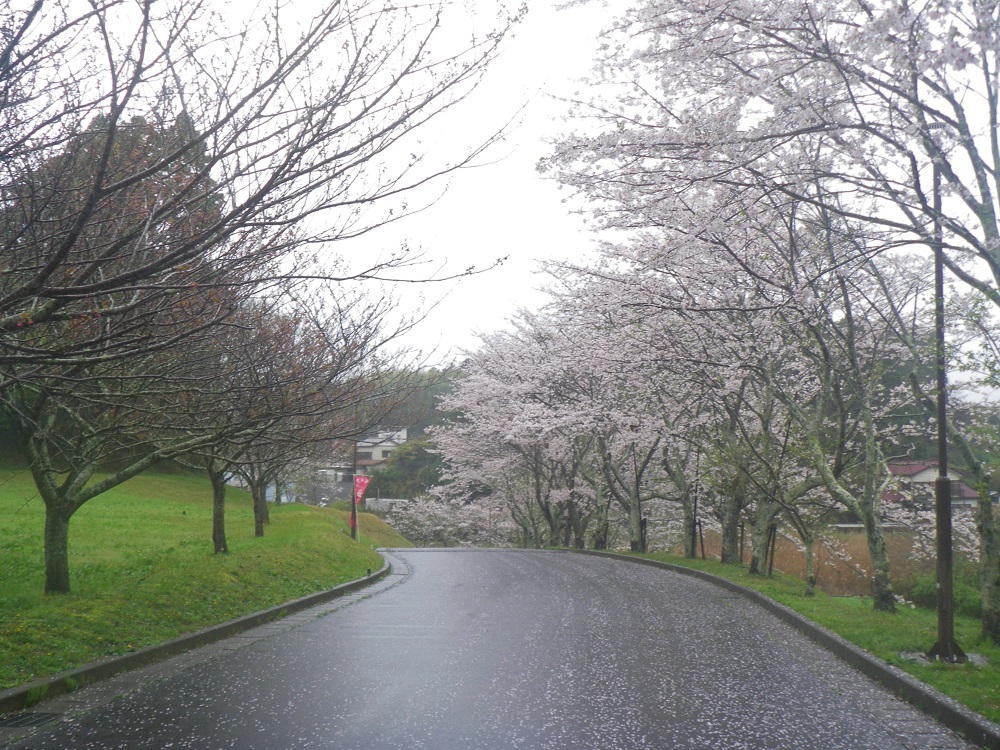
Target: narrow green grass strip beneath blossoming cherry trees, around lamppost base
(885, 635)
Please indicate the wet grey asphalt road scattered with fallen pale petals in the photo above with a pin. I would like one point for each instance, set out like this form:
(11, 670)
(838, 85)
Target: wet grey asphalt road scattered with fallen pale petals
(510, 649)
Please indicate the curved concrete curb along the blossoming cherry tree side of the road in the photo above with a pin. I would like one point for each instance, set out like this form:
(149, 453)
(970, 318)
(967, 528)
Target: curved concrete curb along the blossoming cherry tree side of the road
(955, 716)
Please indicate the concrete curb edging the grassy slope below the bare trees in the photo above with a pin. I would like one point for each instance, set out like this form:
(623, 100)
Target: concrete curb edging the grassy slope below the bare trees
(20, 697)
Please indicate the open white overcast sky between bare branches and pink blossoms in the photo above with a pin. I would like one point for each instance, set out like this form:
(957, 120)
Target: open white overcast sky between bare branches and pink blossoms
(503, 208)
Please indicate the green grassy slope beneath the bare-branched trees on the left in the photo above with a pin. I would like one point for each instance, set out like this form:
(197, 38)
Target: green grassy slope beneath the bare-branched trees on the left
(142, 568)
